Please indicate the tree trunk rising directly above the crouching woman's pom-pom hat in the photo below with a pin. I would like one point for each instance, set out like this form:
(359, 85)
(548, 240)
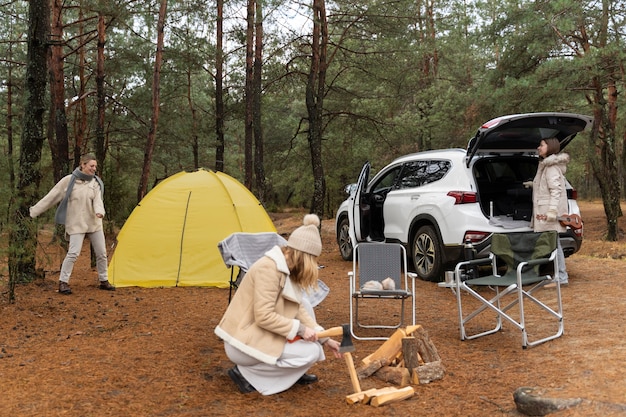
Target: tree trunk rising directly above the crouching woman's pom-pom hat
(315, 92)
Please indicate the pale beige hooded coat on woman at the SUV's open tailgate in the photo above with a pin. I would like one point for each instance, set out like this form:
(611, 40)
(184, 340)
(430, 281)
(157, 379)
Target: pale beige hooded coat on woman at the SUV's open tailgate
(549, 193)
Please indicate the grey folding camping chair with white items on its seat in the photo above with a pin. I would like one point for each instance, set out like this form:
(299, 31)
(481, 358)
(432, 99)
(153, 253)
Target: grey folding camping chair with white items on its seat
(376, 261)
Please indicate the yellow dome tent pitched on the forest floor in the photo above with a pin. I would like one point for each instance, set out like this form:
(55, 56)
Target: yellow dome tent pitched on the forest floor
(170, 239)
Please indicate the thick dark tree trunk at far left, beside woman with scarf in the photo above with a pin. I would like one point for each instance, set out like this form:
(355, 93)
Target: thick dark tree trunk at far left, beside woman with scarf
(22, 235)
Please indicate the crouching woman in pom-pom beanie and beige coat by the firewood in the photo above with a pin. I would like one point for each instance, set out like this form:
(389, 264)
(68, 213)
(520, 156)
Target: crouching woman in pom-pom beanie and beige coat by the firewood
(269, 330)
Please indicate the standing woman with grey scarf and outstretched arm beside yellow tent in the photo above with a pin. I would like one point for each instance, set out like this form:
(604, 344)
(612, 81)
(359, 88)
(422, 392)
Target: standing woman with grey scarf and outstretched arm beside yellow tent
(81, 211)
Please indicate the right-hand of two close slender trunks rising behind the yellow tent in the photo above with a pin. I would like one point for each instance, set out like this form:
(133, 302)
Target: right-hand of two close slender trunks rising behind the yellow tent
(259, 169)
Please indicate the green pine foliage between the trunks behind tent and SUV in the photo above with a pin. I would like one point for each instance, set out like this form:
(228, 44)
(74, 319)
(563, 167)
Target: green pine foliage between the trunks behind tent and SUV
(403, 76)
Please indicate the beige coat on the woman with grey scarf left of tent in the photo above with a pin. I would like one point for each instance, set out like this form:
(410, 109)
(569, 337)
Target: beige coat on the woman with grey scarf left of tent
(84, 203)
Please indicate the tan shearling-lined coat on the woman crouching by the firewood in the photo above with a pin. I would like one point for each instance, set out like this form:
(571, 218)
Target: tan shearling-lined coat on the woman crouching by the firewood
(266, 310)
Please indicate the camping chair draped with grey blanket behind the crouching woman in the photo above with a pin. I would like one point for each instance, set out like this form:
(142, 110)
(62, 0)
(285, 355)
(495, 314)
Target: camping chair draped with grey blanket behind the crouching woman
(243, 249)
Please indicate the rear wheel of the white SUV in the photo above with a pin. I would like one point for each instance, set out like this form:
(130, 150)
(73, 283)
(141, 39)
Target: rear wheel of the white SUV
(426, 254)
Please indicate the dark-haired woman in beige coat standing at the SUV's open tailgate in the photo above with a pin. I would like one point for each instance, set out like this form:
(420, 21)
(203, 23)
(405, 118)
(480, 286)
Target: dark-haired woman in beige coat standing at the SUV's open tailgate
(550, 195)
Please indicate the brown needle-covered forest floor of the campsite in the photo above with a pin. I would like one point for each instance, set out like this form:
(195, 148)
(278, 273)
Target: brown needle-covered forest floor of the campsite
(152, 352)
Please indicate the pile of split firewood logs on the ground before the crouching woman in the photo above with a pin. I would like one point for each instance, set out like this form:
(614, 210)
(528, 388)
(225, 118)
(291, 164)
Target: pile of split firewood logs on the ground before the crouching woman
(407, 358)
